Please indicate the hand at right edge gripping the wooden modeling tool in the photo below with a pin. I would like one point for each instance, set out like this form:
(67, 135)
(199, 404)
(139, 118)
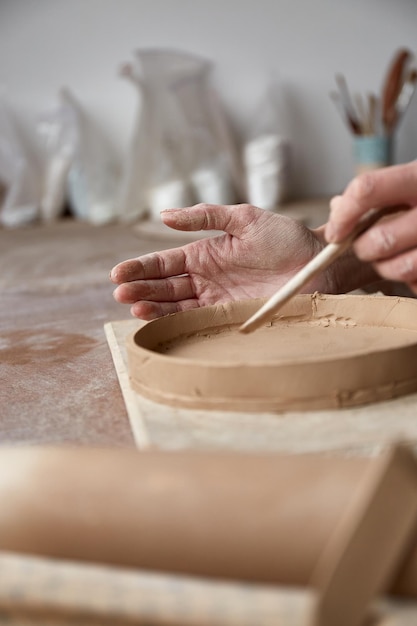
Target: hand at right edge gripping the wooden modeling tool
(391, 245)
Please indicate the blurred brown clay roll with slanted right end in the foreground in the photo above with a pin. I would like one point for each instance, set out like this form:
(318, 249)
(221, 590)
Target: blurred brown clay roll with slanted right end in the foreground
(217, 515)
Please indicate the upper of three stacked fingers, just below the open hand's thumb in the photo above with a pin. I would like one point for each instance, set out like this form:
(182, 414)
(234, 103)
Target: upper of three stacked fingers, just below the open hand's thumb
(154, 265)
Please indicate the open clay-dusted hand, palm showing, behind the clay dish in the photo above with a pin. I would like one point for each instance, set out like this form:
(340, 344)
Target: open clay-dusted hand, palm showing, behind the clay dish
(257, 253)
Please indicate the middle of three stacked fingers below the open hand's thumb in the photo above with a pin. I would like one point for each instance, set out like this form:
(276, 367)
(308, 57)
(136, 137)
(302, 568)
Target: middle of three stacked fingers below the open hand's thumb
(166, 290)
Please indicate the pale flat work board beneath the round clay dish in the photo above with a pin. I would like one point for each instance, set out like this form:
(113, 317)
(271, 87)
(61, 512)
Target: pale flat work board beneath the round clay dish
(360, 430)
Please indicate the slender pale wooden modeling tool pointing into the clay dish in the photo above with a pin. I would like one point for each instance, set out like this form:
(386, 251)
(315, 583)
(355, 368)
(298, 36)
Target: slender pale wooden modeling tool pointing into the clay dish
(317, 264)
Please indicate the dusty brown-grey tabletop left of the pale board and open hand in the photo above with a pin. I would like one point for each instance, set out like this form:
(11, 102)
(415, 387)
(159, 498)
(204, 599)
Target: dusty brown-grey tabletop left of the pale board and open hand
(58, 380)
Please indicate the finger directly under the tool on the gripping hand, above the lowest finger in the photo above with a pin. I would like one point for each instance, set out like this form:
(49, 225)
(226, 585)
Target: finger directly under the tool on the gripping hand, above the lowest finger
(388, 238)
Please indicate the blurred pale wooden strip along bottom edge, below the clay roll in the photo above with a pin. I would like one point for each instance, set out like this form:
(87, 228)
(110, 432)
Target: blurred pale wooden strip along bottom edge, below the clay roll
(39, 592)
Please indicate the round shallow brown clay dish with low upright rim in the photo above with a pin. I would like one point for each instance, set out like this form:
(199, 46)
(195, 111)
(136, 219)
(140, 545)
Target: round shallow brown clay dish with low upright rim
(318, 352)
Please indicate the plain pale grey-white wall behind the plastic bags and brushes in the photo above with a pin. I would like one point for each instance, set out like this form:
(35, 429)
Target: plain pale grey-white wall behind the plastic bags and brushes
(296, 44)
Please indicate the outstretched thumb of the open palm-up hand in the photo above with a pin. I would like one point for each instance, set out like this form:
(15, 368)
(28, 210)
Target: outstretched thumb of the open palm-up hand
(232, 219)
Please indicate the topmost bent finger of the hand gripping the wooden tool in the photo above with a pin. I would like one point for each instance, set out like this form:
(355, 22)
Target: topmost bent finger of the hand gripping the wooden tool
(384, 187)
